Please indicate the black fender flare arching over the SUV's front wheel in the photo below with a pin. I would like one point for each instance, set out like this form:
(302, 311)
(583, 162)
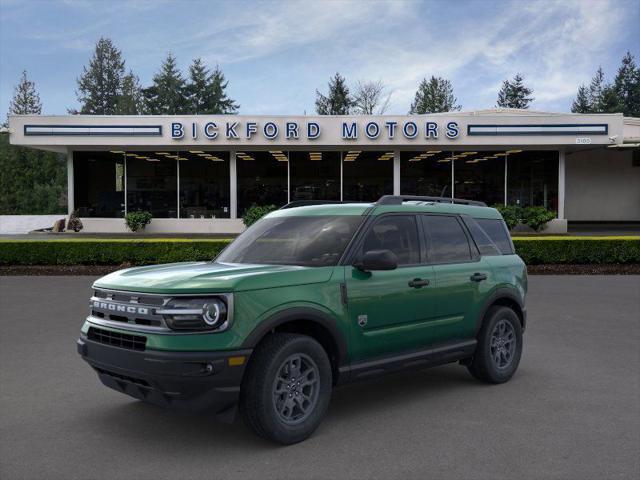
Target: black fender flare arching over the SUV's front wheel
(300, 313)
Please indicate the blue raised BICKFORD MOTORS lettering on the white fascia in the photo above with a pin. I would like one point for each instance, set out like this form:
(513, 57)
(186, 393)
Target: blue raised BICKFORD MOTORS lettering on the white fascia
(294, 130)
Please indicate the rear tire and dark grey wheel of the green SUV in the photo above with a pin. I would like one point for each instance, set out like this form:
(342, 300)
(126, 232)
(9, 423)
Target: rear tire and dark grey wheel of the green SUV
(499, 346)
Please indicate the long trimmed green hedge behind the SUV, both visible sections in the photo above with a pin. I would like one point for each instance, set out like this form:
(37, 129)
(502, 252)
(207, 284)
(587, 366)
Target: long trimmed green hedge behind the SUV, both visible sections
(533, 250)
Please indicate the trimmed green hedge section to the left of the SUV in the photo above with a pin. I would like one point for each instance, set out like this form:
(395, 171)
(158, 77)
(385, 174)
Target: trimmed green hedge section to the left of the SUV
(107, 252)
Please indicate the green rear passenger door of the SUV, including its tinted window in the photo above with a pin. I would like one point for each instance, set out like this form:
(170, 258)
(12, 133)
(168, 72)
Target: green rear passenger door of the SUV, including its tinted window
(459, 275)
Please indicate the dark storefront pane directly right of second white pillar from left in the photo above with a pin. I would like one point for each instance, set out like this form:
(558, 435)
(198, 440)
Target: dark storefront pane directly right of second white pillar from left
(262, 179)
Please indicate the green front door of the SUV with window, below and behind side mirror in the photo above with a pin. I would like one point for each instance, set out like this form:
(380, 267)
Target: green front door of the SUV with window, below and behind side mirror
(389, 310)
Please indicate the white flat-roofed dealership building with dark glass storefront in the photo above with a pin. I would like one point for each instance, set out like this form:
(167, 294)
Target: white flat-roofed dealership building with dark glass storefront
(200, 173)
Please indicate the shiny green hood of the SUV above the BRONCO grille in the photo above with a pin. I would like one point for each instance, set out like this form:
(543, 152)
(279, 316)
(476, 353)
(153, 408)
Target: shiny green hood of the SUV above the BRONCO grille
(206, 277)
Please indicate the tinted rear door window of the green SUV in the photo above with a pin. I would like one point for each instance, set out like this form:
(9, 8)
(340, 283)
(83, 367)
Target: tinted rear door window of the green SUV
(447, 241)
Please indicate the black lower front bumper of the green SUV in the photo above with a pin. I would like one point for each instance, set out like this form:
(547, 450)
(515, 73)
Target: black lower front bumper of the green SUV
(195, 381)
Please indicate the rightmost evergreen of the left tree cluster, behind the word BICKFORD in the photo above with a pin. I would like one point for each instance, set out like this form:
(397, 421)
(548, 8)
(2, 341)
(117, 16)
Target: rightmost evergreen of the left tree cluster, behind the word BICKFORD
(206, 91)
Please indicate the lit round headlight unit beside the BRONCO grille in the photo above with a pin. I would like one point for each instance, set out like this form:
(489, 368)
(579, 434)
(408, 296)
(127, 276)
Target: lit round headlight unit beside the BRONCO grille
(195, 314)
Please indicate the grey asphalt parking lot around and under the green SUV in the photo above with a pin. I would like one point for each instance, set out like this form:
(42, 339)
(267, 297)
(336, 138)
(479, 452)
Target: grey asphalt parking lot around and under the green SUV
(571, 411)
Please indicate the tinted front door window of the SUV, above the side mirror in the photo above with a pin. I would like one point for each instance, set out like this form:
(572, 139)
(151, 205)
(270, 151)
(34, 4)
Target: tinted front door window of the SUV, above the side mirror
(398, 234)
